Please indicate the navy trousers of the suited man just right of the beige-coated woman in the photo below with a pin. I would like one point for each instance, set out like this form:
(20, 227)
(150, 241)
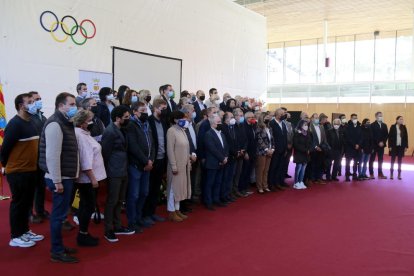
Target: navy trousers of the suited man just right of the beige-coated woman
(212, 186)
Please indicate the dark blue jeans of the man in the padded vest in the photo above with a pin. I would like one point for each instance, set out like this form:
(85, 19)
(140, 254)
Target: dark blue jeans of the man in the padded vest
(61, 203)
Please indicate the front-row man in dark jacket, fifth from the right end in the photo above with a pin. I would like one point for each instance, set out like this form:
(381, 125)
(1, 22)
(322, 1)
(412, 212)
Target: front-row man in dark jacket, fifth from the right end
(335, 137)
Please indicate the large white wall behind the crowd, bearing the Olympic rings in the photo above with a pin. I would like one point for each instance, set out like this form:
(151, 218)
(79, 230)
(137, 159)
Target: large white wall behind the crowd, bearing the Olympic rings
(222, 44)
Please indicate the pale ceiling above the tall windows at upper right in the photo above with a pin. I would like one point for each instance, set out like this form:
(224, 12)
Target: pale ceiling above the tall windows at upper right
(303, 19)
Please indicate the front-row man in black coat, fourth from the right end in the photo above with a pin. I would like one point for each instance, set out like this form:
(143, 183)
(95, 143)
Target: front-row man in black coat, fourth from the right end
(353, 142)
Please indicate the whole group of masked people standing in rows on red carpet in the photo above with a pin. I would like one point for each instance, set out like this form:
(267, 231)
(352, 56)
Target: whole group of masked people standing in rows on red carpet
(208, 151)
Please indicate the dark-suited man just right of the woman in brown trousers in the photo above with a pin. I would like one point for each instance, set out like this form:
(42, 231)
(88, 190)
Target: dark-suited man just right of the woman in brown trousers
(276, 173)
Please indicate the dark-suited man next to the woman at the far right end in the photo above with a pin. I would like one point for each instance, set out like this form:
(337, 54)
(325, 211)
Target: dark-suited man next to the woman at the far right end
(380, 136)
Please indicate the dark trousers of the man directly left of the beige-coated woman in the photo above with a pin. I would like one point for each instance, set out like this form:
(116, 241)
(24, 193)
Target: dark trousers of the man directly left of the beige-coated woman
(153, 198)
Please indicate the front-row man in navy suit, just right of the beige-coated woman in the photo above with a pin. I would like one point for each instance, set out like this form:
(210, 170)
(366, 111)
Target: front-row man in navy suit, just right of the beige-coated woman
(217, 152)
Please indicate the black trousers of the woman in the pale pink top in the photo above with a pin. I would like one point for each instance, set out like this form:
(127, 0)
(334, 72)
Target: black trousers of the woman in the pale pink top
(87, 202)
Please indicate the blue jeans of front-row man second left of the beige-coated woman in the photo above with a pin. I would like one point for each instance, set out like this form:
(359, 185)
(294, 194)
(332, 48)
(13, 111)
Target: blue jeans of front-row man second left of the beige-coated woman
(138, 188)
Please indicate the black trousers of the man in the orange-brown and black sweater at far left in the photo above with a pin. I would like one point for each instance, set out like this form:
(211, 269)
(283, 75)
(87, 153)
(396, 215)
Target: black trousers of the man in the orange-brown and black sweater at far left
(22, 188)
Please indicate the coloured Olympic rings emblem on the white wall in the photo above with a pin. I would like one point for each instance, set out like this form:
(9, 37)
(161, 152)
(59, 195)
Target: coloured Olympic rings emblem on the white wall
(71, 31)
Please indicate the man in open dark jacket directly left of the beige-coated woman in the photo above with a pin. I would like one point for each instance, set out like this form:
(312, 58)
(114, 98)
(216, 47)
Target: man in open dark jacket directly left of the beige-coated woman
(158, 128)
